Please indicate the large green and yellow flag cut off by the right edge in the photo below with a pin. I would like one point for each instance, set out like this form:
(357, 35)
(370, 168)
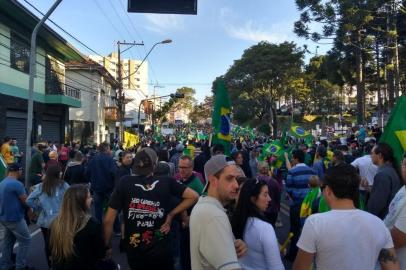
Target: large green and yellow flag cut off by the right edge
(395, 130)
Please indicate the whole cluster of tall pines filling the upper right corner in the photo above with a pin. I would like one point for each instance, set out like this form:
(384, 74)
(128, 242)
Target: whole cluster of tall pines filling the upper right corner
(365, 37)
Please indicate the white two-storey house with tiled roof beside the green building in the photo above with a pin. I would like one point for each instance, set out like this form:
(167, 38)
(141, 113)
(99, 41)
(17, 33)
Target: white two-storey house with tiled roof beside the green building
(97, 120)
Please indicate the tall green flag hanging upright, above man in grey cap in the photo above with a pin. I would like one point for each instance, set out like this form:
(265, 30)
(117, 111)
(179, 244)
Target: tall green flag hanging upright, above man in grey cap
(221, 117)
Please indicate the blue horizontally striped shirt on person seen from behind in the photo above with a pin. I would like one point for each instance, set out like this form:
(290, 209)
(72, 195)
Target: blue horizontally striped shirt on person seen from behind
(297, 182)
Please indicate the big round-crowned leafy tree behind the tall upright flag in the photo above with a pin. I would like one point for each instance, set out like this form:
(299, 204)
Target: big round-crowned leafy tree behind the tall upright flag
(260, 78)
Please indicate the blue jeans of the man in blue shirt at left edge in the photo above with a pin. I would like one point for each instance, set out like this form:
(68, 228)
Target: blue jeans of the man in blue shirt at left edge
(14, 231)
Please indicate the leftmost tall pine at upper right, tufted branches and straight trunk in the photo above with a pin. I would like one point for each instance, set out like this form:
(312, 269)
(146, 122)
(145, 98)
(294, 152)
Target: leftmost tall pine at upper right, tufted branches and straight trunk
(345, 22)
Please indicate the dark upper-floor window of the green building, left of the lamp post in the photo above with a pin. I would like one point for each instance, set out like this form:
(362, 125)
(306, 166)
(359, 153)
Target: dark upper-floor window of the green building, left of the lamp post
(19, 53)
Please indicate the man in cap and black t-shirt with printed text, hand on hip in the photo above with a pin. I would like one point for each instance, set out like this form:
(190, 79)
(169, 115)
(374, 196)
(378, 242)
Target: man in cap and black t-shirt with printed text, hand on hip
(145, 200)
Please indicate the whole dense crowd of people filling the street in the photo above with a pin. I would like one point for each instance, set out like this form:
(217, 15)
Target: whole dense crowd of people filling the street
(203, 209)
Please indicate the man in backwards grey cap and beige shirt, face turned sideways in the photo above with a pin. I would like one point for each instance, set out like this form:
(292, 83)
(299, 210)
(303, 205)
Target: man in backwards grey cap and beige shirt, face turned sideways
(212, 244)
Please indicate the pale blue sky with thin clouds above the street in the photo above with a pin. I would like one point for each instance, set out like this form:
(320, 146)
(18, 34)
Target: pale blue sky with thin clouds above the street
(204, 45)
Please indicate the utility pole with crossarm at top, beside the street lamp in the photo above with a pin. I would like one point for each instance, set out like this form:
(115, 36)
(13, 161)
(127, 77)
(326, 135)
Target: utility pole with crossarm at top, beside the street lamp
(121, 96)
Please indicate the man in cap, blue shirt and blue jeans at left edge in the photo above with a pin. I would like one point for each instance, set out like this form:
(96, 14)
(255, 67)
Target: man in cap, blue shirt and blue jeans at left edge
(13, 206)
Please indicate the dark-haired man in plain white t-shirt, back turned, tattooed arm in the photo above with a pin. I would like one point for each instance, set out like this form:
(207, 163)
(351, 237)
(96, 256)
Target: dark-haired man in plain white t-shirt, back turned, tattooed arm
(344, 238)
